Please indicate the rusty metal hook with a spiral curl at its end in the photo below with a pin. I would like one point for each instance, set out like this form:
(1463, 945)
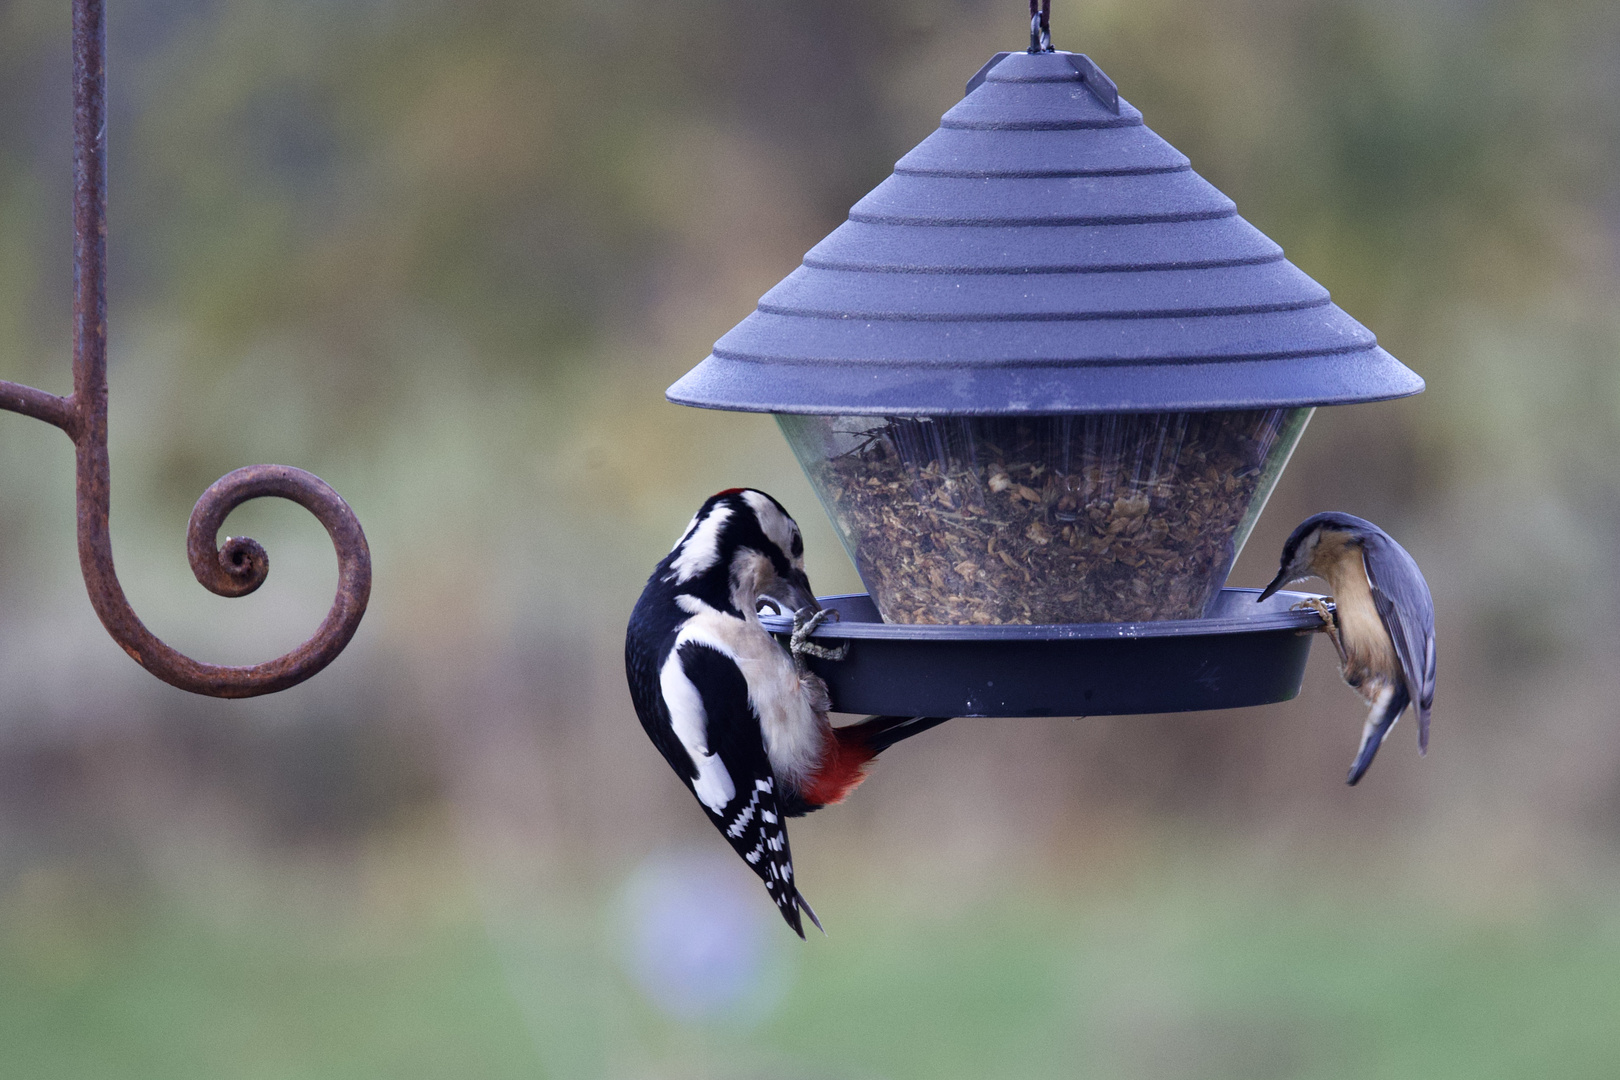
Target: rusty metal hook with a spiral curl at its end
(241, 564)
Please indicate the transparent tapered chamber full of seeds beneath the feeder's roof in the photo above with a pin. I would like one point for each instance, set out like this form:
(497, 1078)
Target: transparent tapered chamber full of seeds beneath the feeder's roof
(1122, 517)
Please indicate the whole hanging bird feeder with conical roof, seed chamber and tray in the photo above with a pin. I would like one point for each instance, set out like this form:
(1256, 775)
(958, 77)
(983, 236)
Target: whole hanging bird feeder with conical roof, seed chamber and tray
(1044, 380)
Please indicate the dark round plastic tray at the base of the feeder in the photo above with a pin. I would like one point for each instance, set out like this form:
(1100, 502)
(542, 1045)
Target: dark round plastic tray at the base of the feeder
(1243, 655)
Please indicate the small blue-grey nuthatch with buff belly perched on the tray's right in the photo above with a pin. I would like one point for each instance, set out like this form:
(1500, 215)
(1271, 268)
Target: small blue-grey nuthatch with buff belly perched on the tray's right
(1381, 623)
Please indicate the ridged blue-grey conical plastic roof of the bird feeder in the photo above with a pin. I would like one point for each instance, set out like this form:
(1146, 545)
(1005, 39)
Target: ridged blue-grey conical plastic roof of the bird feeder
(1042, 253)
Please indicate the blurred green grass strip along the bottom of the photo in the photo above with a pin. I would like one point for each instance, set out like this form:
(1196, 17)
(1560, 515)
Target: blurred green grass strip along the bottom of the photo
(1188, 979)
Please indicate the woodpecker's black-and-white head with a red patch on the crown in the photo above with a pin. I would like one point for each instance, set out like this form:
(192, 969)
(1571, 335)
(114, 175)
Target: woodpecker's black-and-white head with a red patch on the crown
(741, 546)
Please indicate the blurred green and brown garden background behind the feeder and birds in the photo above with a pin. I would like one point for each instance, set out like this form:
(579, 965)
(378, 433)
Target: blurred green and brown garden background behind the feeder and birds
(448, 255)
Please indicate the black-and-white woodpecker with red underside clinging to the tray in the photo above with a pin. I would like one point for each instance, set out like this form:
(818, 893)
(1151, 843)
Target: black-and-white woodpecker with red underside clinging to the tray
(740, 718)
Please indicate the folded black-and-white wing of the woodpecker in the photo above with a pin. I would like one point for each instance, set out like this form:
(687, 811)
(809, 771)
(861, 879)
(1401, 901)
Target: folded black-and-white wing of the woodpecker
(730, 770)
